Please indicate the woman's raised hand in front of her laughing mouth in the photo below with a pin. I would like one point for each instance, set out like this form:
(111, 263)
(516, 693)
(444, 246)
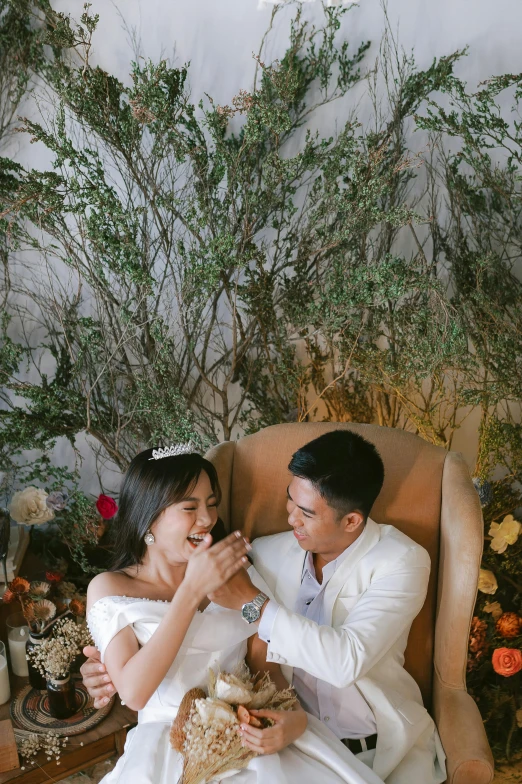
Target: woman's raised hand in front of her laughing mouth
(211, 566)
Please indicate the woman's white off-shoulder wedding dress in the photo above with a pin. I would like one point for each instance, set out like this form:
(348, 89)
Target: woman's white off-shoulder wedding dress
(216, 638)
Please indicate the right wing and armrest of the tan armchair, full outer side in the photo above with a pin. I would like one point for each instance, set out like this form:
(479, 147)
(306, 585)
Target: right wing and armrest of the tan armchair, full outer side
(461, 730)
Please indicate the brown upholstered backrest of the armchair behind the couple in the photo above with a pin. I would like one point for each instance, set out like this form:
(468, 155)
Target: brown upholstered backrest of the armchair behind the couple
(254, 476)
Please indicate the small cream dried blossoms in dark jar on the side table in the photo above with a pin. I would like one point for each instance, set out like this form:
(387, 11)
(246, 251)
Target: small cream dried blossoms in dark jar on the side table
(54, 657)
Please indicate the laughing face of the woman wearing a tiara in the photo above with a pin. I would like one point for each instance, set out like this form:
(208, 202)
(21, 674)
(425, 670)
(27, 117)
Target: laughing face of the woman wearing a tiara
(180, 528)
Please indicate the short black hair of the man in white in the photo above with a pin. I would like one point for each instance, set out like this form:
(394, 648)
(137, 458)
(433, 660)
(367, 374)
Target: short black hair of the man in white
(344, 467)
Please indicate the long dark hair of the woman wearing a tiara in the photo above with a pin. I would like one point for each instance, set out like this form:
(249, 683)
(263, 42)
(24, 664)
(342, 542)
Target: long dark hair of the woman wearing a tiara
(149, 487)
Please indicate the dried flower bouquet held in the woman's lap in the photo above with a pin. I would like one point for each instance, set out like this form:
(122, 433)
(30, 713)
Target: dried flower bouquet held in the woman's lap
(205, 729)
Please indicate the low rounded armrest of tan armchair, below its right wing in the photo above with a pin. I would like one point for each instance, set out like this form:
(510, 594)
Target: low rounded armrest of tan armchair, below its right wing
(468, 756)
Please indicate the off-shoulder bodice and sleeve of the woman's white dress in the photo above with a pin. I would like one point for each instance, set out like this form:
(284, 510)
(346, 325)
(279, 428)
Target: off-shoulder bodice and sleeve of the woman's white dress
(216, 639)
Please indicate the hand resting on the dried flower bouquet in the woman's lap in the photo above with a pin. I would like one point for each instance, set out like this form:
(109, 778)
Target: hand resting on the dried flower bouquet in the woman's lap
(287, 727)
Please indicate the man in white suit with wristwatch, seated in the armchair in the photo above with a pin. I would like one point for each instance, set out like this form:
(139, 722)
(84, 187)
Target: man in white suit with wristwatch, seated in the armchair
(343, 594)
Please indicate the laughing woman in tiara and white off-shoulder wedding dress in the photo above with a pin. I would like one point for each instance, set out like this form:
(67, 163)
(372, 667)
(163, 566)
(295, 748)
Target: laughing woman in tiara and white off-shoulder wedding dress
(158, 634)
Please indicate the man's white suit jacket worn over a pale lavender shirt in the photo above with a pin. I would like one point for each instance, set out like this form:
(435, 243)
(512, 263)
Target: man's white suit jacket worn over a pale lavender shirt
(371, 601)
